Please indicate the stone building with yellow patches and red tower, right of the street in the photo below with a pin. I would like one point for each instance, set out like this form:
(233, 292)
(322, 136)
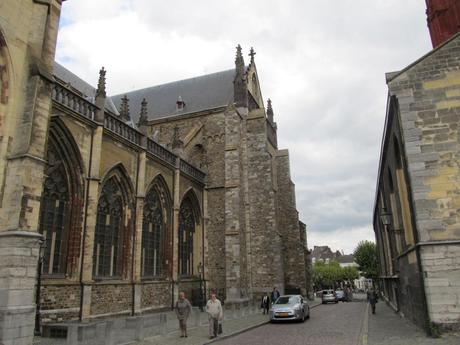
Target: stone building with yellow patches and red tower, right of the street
(417, 205)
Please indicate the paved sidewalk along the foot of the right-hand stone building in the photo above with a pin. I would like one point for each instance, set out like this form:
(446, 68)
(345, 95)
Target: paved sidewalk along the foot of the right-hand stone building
(386, 327)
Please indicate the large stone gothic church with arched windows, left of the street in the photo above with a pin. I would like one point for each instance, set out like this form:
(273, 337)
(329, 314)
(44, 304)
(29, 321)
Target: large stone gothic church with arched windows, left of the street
(112, 205)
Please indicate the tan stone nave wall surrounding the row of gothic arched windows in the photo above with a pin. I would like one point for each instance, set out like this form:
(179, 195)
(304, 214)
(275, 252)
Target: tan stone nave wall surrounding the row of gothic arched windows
(61, 297)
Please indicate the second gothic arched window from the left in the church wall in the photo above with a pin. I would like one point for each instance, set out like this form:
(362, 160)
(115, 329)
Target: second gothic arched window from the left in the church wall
(109, 227)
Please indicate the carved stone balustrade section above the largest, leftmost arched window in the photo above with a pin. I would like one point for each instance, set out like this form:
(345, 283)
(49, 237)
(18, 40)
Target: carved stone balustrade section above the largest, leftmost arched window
(73, 101)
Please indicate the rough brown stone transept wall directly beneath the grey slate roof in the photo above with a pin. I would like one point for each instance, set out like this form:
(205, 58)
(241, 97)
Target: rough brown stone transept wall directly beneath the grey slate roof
(207, 130)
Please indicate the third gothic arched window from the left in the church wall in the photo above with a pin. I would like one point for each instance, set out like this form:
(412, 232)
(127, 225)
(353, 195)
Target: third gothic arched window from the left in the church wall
(153, 235)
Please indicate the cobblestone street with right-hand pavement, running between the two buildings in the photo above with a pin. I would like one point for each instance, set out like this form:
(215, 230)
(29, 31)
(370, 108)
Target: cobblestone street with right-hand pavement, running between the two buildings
(342, 324)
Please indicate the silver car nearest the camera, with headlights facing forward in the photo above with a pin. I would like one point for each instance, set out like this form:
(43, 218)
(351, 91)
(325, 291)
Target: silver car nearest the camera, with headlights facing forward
(290, 307)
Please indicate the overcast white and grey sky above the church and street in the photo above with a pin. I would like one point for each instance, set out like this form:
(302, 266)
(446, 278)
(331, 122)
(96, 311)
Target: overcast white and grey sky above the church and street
(322, 62)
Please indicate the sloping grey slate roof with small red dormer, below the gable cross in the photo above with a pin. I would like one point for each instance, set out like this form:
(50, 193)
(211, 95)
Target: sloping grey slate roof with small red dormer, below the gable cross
(199, 93)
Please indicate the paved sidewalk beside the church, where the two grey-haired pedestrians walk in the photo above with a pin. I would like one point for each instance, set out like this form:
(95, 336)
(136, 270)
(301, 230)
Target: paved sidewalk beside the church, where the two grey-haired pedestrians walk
(199, 335)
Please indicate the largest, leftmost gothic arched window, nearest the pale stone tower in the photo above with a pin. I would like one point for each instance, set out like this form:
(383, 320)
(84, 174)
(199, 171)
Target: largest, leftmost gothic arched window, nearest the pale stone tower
(55, 213)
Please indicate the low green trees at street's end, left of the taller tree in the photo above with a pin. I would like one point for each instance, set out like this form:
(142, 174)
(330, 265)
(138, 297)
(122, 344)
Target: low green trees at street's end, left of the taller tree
(329, 275)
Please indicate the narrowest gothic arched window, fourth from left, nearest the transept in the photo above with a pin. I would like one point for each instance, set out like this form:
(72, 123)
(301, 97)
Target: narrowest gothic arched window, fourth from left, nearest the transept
(187, 224)
